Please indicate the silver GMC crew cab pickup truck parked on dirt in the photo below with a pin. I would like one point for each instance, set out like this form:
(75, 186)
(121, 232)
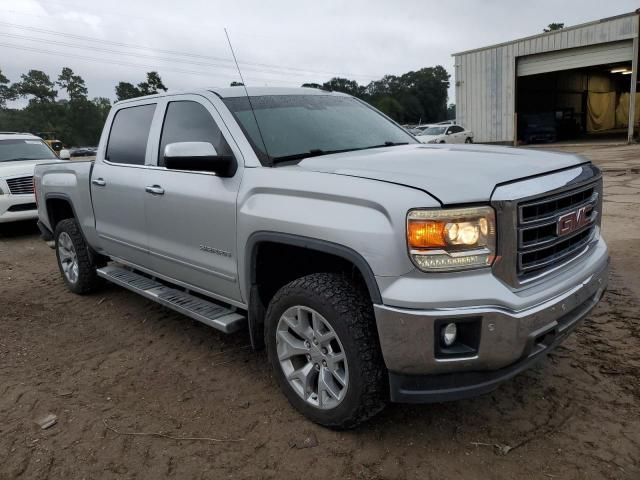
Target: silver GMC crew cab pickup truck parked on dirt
(373, 268)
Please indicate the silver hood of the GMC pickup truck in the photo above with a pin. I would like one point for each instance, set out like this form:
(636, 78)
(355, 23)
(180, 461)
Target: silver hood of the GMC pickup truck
(450, 173)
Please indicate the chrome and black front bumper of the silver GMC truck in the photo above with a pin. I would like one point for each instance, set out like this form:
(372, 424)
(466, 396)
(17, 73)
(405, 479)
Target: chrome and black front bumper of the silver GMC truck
(511, 339)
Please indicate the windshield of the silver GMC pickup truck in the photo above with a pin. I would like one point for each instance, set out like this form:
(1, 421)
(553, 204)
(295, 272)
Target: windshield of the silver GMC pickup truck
(299, 126)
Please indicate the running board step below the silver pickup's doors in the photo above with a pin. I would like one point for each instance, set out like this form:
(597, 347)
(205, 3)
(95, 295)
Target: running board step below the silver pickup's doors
(222, 318)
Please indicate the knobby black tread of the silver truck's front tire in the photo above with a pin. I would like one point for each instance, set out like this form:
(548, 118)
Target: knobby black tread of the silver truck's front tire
(356, 311)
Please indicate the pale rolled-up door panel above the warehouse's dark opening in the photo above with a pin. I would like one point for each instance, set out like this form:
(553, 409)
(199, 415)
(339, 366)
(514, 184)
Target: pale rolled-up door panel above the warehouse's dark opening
(571, 58)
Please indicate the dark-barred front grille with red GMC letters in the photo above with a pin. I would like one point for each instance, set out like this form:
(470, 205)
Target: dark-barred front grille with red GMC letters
(555, 229)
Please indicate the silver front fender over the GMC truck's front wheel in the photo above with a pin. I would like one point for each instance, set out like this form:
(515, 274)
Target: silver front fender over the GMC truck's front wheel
(367, 217)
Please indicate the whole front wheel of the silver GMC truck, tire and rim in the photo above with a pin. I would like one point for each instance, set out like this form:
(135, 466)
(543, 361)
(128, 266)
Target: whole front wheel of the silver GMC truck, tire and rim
(323, 347)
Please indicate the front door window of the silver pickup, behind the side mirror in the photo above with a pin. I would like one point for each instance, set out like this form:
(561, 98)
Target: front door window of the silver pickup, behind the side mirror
(187, 121)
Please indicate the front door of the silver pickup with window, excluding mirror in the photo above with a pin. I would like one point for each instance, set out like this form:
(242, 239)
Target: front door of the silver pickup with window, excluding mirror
(191, 216)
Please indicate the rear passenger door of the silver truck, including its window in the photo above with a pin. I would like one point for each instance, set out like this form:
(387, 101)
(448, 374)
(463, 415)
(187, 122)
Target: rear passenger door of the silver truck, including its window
(118, 185)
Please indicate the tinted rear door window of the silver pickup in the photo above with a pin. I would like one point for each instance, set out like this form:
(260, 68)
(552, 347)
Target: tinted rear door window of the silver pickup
(129, 133)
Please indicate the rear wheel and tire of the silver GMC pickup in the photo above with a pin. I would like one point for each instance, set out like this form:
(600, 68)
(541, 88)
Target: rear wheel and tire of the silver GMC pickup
(77, 263)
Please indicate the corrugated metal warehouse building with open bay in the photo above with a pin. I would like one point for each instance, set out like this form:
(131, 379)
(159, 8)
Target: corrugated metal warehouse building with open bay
(577, 82)
